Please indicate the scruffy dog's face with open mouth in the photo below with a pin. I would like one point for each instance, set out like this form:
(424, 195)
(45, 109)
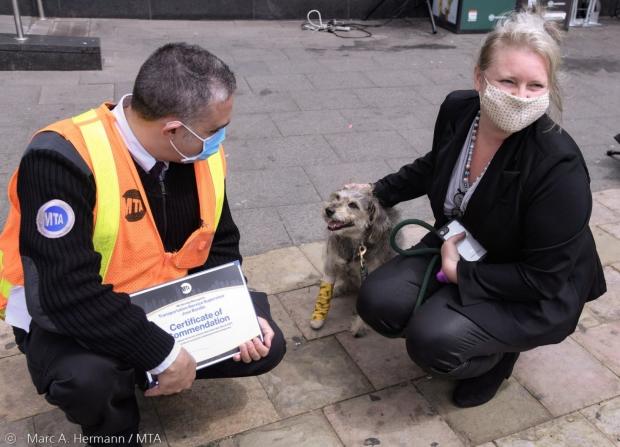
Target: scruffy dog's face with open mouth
(351, 212)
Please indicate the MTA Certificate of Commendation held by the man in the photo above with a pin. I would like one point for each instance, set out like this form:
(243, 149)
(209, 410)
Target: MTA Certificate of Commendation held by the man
(209, 313)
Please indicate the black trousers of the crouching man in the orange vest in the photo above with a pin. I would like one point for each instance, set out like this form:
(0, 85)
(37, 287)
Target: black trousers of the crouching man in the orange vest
(98, 392)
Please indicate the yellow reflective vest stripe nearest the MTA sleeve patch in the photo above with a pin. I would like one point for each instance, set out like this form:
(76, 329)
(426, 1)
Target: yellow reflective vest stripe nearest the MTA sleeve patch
(106, 180)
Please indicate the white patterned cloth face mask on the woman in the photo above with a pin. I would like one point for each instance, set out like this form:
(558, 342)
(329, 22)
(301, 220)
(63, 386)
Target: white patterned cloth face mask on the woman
(511, 113)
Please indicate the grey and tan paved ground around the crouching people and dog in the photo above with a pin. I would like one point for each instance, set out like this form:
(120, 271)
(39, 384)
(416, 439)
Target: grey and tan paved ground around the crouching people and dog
(313, 112)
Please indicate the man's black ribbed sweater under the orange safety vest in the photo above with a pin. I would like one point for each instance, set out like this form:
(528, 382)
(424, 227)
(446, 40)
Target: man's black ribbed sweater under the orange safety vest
(64, 272)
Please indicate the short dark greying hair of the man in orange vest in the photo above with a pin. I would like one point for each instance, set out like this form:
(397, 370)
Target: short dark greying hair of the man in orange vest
(180, 79)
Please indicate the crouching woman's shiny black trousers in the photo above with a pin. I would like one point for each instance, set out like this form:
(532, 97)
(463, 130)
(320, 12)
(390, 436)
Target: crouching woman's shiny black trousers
(438, 338)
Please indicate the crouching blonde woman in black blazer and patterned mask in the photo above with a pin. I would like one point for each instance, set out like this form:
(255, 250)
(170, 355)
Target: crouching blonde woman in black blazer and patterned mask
(518, 183)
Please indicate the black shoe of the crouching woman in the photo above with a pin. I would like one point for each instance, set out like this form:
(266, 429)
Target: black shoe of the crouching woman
(479, 390)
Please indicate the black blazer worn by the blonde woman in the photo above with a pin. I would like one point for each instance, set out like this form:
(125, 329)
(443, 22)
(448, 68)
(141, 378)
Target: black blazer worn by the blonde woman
(530, 211)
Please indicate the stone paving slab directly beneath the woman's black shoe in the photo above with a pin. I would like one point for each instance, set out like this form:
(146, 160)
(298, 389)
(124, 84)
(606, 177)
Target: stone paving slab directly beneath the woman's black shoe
(512, 409)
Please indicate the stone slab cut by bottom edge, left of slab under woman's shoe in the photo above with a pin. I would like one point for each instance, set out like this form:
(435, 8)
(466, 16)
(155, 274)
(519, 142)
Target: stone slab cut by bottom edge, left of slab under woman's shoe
(397, 416)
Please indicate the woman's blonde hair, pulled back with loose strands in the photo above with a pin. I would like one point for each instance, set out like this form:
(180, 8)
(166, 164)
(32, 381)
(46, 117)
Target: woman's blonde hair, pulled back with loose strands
(528, 29)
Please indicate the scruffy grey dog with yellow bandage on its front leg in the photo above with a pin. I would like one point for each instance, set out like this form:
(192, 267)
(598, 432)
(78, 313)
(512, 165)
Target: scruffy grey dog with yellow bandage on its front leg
(358, 242)
